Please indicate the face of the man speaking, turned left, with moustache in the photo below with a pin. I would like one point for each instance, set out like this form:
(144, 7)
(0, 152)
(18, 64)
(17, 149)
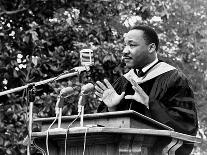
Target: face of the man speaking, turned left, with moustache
(135, 53)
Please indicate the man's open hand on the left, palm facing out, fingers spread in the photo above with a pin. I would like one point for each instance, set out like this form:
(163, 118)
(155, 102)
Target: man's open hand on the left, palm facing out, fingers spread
(107, 93)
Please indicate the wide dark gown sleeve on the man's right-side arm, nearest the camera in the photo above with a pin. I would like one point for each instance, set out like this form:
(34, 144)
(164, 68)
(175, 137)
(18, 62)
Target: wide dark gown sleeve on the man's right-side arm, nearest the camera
(172, 102)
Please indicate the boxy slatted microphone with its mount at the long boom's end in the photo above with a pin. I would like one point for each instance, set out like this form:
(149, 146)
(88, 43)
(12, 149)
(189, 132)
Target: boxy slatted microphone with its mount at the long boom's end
(86, 59)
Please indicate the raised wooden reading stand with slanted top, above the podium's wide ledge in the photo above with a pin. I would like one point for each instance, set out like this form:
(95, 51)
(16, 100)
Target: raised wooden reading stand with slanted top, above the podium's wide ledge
(120, 119)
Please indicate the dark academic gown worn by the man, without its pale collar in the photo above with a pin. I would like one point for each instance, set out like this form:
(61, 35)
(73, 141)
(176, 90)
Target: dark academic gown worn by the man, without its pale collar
(171, 102)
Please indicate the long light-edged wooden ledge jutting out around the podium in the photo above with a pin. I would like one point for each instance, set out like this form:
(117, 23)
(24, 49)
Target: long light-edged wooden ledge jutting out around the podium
(148, 132)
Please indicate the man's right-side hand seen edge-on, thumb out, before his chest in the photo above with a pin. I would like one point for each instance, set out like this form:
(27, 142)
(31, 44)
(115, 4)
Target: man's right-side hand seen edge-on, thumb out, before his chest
(139, 95)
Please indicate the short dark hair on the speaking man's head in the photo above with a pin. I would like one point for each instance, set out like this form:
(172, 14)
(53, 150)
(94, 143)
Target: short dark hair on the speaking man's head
(150, 34)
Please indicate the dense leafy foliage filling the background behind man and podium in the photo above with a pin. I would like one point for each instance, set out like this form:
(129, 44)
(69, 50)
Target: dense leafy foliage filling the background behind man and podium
(41, 39)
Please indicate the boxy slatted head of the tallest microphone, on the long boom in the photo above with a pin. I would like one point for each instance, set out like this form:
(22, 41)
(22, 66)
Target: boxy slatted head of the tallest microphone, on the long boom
(86, 57)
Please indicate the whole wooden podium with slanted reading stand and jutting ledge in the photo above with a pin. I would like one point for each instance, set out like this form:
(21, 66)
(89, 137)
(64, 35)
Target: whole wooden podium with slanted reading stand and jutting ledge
(111, 133)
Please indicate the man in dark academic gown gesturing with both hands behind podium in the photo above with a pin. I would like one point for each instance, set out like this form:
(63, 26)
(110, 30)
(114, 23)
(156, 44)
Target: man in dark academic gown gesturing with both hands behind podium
(152, 87)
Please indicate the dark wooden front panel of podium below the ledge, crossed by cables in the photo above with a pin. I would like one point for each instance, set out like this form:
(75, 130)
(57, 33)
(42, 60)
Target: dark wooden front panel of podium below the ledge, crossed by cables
(97, 144)
